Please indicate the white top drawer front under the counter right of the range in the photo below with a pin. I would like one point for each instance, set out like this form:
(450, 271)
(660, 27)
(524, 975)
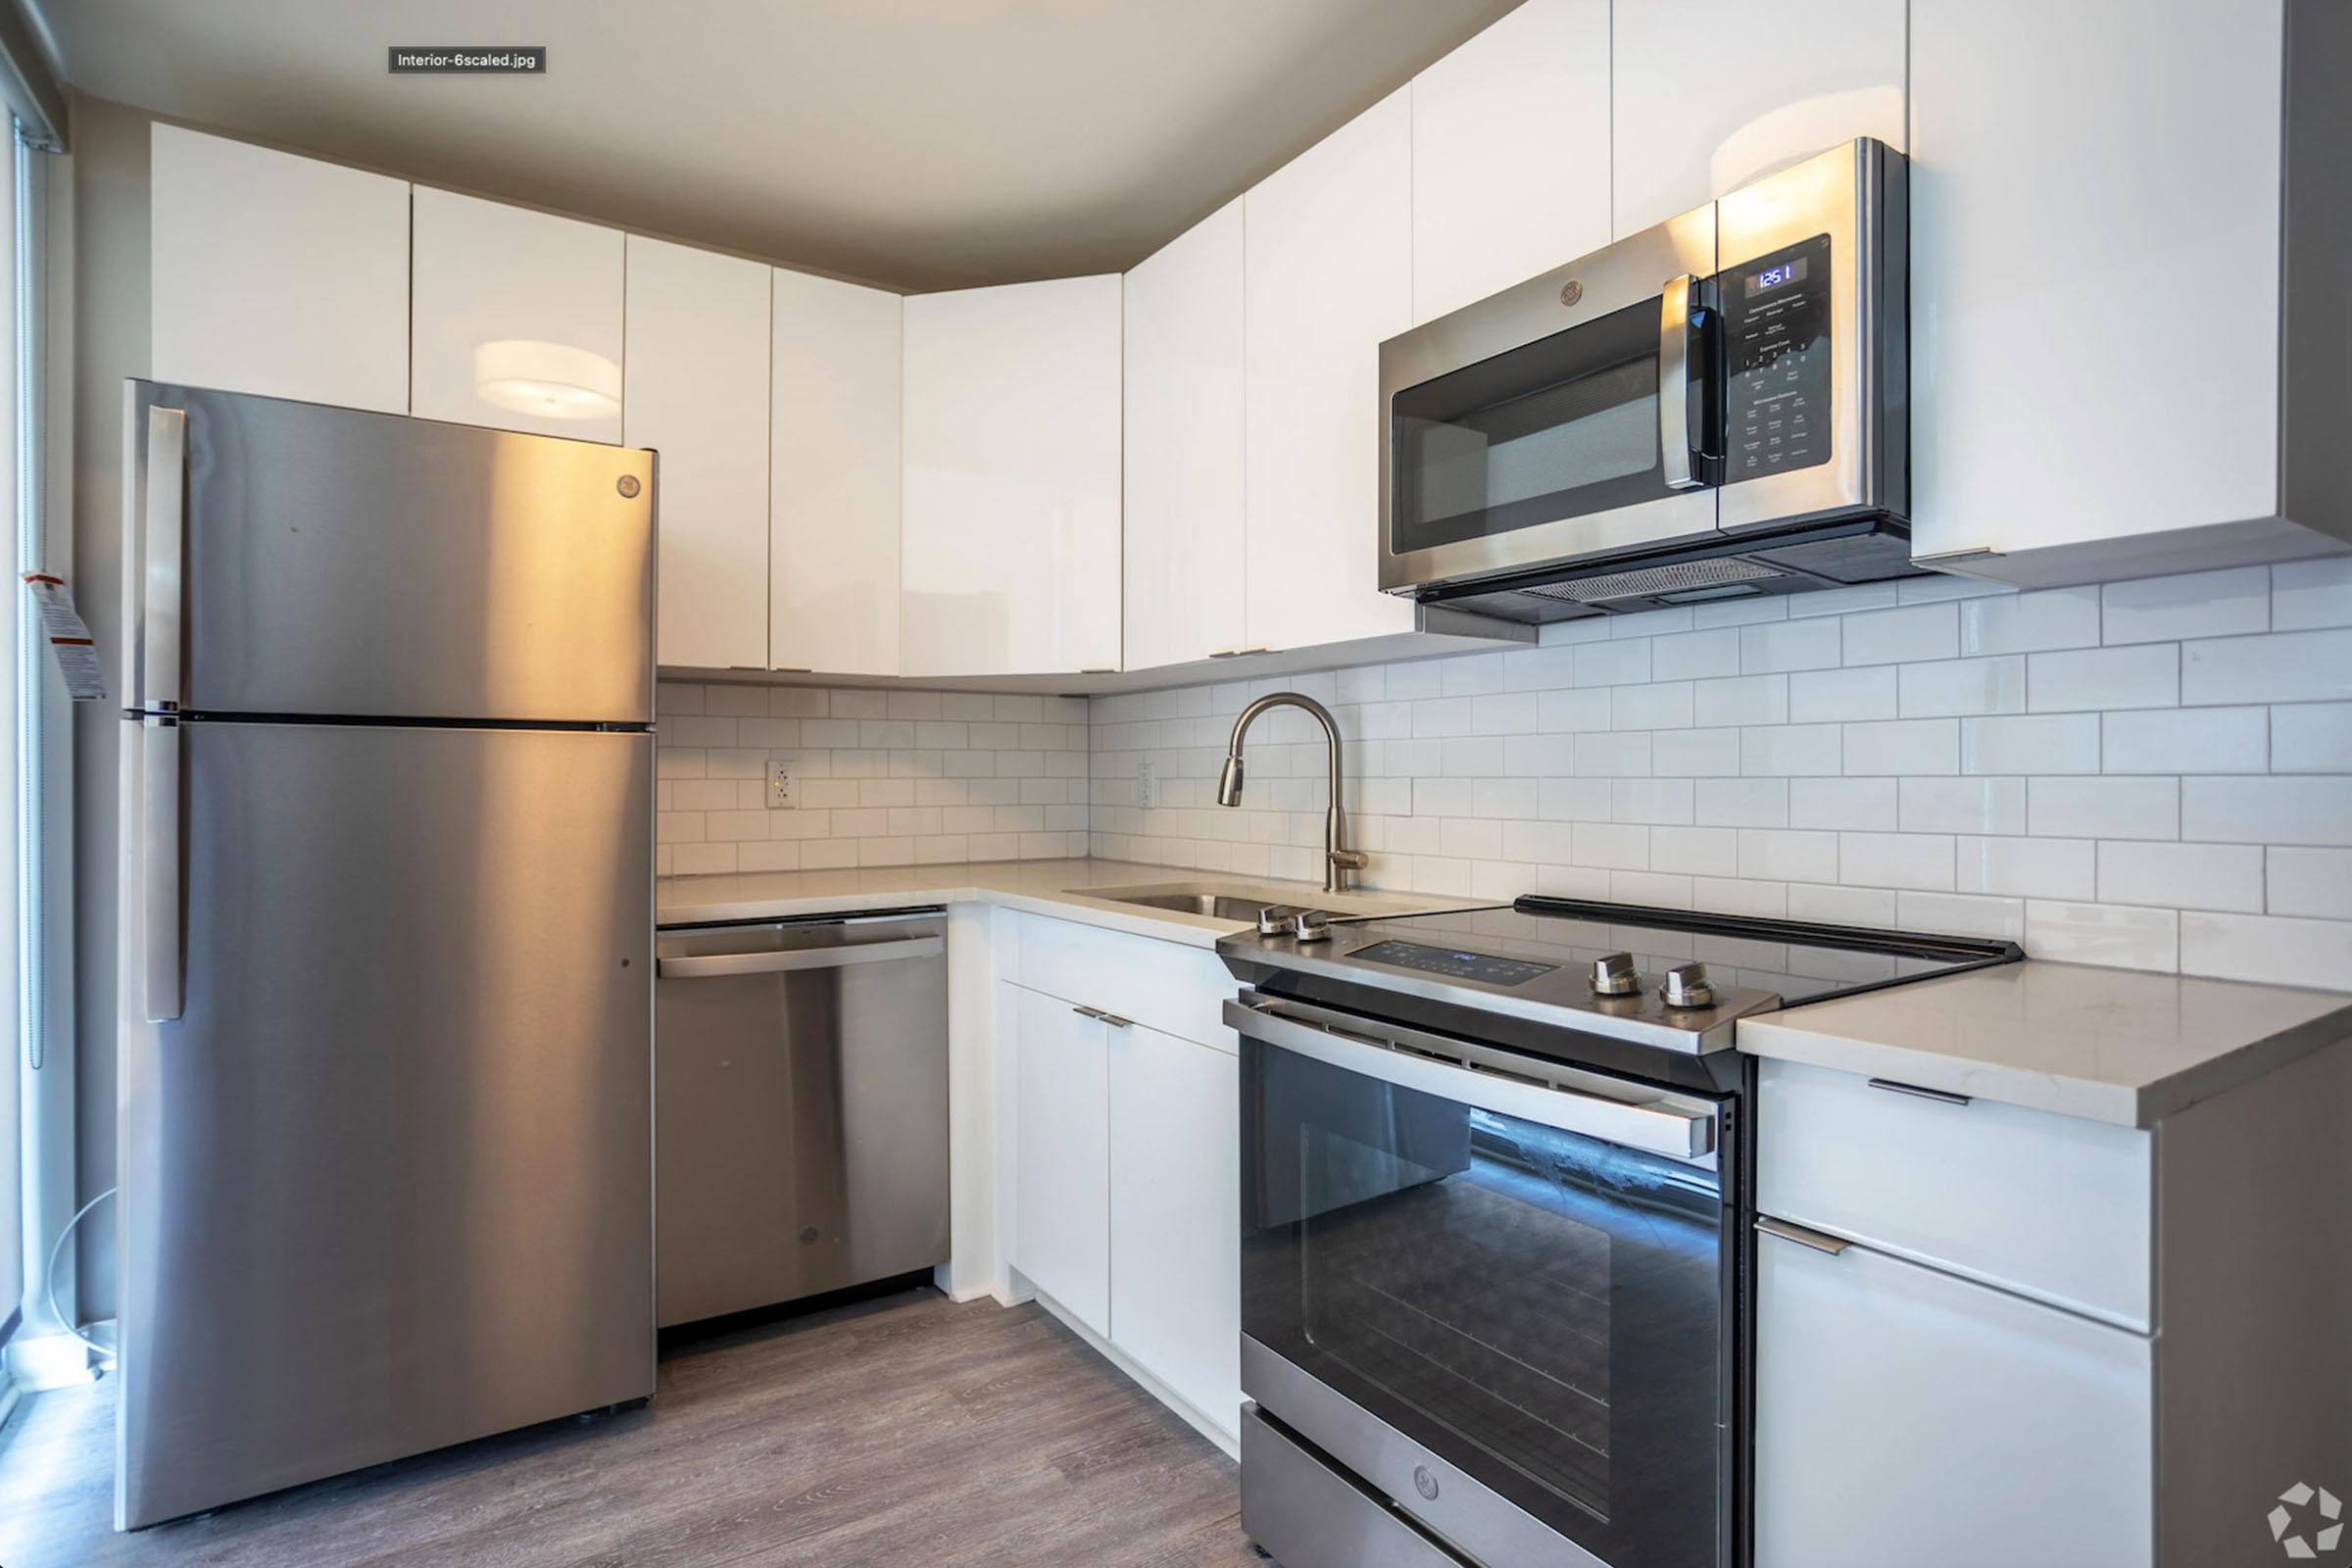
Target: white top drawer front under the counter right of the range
(2024, 1200)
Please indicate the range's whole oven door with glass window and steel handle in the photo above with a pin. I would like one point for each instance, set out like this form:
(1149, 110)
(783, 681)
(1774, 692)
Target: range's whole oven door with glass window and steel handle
(1499, 1292)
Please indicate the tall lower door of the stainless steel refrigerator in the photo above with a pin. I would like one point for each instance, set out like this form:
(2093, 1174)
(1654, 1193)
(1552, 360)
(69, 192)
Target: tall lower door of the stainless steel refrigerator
(387, 1184)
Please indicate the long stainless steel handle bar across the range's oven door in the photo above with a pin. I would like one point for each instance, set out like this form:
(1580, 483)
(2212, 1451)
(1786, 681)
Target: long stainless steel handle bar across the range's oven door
(1657, 1125)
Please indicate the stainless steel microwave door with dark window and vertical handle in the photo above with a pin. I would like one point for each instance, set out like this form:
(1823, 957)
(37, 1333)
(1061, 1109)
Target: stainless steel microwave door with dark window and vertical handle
(1568, 417)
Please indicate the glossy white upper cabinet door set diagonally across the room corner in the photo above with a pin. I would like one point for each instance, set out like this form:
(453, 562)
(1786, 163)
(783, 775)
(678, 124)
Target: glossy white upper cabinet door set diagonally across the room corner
(1013, 481)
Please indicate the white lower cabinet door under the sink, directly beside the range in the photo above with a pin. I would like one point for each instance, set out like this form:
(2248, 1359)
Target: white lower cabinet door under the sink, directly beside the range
(1177, 1217)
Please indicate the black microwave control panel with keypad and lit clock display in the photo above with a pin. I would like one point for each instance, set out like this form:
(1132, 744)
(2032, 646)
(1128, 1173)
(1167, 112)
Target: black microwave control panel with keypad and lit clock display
(1777, 361)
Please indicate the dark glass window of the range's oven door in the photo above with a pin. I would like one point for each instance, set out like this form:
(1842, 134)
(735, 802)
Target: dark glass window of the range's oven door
(1539, 1308)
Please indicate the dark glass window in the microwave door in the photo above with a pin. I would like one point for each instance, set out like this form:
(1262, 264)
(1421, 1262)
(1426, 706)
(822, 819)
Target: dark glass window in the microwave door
(1556, 429)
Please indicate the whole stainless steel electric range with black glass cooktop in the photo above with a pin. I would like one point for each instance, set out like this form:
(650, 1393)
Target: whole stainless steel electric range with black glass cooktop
(1497, 1226)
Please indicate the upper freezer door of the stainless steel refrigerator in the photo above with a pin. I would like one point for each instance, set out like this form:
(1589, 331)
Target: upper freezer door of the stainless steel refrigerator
(373, 565)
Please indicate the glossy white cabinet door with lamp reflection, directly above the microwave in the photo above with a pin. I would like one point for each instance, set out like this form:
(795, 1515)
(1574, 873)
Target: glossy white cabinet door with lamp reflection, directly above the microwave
(1713, 93)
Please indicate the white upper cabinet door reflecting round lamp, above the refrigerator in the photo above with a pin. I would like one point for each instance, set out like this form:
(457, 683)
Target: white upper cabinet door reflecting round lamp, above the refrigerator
(516, 319)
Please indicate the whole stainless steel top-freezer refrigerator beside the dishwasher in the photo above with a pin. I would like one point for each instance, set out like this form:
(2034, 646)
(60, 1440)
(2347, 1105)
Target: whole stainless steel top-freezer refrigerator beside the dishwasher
(387, 942)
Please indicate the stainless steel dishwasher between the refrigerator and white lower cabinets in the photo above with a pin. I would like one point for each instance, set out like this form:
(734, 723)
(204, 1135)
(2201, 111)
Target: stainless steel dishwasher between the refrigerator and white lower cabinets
(801, 1108)
